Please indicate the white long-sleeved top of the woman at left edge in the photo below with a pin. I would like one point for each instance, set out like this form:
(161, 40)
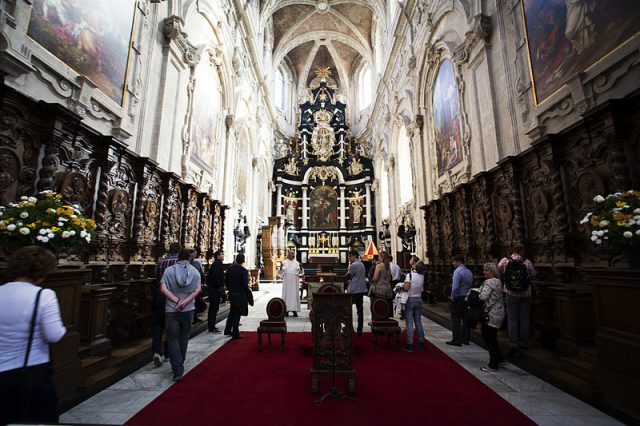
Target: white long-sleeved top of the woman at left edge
(18, 299)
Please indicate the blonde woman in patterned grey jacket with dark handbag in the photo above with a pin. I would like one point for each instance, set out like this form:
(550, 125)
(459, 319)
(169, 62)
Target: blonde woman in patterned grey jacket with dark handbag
(492, 313)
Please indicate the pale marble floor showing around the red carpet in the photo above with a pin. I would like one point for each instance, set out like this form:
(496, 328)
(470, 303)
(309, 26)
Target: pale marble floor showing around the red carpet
(540, 401)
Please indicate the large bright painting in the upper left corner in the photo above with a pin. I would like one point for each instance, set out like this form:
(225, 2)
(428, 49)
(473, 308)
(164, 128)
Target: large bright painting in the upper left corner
(91, 36)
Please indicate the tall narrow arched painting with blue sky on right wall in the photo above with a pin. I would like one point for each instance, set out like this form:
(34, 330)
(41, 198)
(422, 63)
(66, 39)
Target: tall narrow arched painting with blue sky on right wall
(446, 118)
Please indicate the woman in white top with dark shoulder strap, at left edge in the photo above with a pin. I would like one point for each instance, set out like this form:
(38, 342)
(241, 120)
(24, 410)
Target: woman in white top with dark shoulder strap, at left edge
(29, 321)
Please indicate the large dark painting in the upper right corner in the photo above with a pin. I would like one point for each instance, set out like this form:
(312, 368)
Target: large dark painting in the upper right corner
(566, 37)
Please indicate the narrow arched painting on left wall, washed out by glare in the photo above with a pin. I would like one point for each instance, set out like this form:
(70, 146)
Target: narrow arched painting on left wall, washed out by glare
(205, 113)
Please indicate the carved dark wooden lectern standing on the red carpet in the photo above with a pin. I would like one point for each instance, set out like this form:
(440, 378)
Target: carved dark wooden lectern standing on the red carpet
(332, 332)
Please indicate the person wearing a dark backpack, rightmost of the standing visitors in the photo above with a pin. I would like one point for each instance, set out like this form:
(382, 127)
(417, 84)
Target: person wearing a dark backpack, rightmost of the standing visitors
(517, 272)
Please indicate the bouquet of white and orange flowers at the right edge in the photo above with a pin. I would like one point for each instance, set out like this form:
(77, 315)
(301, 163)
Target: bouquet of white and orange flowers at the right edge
(616, 220)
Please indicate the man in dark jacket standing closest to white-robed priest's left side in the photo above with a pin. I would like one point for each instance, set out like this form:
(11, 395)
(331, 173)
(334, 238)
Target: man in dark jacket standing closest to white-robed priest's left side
(237, 282)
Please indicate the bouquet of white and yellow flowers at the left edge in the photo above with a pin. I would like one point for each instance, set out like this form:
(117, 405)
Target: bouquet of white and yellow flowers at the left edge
(46, 221)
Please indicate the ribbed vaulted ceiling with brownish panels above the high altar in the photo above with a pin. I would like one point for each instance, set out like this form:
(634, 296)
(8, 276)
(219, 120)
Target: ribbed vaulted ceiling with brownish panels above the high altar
(330, 33)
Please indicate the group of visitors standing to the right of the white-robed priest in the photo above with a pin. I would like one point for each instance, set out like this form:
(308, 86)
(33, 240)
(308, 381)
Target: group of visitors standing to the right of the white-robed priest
(506, 284)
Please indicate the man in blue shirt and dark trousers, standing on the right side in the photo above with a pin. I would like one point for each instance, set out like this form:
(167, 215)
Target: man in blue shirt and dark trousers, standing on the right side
(462, 282)
